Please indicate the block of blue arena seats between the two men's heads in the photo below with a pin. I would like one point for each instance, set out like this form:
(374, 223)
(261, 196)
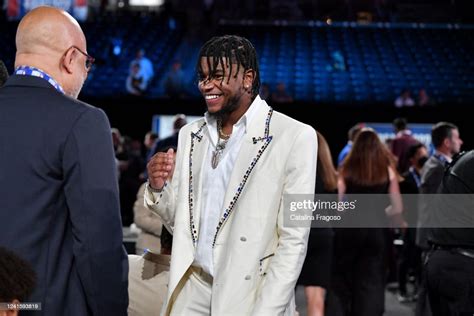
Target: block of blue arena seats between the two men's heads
(134, 31)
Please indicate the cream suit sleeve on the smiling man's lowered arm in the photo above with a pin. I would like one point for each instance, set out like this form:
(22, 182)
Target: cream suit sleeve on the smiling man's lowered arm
(285, 267)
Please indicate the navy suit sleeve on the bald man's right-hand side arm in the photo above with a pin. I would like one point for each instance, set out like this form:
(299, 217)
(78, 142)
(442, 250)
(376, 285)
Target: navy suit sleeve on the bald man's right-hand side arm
(92, 197)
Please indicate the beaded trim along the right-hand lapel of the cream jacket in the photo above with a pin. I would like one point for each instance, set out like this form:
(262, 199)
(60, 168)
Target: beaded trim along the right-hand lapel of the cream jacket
(266, 139)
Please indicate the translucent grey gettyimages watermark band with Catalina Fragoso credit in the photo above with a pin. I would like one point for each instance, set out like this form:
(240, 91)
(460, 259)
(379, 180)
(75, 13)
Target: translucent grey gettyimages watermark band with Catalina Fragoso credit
(375, 210)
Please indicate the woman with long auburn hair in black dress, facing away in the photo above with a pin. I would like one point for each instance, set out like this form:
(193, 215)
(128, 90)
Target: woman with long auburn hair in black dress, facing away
(359, 267)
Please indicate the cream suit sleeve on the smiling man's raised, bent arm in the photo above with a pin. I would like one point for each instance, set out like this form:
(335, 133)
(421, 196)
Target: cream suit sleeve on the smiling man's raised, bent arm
(164, 203)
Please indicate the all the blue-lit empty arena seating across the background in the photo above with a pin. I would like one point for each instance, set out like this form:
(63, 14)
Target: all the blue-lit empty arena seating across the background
(379, 60)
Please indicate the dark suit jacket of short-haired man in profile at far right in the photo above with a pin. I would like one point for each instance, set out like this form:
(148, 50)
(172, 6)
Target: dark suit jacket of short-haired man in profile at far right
(431, 177)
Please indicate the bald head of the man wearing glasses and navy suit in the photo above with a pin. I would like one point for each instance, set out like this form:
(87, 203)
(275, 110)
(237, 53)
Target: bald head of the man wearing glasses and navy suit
(51, 39)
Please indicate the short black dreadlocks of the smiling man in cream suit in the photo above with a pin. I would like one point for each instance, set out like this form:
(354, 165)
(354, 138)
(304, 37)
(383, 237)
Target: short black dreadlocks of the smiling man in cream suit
(238, 50)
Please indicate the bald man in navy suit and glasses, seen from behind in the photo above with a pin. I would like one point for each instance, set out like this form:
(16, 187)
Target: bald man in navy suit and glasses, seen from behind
(59, 204)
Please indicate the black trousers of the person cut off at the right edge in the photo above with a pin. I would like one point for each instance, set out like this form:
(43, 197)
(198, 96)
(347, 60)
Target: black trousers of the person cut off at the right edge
(450, 282)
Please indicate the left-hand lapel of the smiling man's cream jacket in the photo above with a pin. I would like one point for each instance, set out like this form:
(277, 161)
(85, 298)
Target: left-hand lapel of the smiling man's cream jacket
(197, 153)
